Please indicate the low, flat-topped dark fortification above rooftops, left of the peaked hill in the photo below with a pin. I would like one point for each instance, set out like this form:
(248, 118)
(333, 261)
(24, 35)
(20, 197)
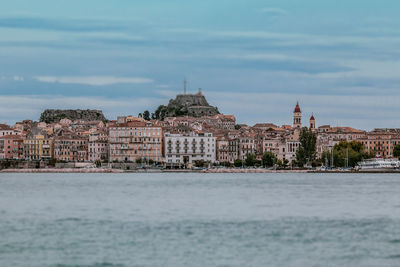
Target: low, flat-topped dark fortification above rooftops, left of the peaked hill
(55, 115)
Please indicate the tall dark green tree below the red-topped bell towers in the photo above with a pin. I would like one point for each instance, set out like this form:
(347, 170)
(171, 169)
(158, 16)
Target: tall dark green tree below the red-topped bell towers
(308, 147)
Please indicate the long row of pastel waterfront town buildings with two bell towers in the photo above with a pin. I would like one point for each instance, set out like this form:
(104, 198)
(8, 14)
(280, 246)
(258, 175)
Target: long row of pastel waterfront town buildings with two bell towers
(176, 140)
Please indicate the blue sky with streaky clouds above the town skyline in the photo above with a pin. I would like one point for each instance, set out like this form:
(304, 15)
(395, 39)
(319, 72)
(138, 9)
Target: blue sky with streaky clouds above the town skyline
(255, 59)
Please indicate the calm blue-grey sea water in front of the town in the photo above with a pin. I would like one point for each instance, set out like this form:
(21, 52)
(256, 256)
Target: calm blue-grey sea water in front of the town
(199, 219)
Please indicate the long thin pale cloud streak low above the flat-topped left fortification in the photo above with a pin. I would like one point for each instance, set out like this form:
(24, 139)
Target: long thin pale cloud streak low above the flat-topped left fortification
(93, 80)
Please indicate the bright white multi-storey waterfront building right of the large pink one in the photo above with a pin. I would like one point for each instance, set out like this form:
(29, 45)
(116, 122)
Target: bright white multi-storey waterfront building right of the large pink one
(182, 149)
